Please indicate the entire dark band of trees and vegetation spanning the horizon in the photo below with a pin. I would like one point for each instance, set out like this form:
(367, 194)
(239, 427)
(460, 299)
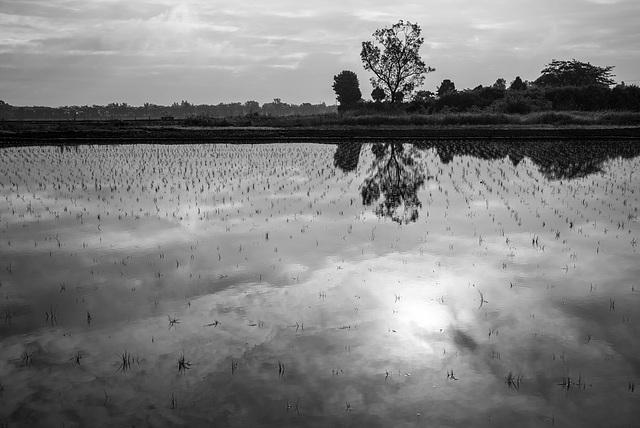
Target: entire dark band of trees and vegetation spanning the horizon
(566, 93)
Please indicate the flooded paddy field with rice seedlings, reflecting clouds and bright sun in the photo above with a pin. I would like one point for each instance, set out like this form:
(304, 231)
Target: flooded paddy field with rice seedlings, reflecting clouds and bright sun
(466, 283)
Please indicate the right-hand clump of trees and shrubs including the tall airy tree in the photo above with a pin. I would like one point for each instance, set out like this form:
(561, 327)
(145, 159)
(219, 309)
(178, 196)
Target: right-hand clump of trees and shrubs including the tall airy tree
(398, 70)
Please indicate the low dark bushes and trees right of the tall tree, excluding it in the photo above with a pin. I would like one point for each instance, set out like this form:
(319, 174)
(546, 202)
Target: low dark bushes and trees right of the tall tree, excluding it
(563, 86)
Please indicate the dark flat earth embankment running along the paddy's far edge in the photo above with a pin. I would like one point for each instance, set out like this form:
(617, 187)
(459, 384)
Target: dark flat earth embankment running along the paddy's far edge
(122, 134)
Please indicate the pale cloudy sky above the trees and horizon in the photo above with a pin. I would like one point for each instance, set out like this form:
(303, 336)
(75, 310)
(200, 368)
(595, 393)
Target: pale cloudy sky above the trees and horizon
(85, 52)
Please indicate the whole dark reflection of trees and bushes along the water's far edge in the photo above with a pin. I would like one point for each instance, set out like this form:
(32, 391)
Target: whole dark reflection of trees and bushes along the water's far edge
(397, 172)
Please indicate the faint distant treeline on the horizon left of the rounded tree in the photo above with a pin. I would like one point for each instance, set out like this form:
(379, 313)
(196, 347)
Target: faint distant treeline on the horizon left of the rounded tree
(180, 110)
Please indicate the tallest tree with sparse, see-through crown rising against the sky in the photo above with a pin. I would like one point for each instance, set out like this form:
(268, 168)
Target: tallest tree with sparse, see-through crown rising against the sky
(394, 59)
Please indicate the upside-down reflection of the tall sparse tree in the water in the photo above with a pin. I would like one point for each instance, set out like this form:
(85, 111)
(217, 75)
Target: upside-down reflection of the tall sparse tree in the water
(393, 182)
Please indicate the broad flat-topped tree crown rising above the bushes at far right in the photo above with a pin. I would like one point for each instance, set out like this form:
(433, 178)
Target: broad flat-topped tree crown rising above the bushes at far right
(574, 73)
